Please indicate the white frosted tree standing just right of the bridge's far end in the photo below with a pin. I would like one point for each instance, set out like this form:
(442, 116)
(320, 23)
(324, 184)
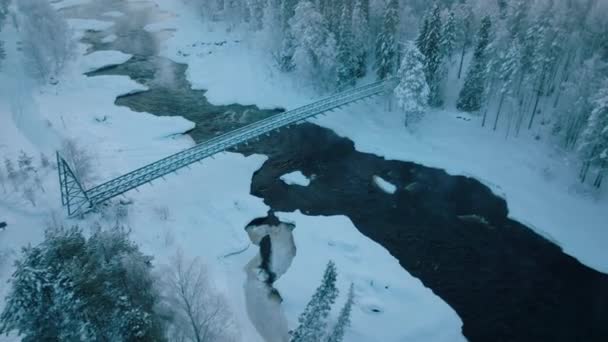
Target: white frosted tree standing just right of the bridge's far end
(412, 93)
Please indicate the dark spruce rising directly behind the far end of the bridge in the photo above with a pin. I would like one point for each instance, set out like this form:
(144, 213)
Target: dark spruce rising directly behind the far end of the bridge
(386, 44)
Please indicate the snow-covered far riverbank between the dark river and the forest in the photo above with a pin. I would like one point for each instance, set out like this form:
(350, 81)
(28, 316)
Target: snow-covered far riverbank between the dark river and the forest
(538, 182)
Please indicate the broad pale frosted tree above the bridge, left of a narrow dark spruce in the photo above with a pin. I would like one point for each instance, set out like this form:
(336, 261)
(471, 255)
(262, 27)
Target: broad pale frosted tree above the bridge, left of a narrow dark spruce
(315, 46)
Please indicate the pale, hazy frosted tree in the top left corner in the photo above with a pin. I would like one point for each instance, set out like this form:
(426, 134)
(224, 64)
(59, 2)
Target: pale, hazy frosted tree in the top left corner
(47, 39)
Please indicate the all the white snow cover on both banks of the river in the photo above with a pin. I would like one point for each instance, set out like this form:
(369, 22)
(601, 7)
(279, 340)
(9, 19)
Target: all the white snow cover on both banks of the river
(203, 211)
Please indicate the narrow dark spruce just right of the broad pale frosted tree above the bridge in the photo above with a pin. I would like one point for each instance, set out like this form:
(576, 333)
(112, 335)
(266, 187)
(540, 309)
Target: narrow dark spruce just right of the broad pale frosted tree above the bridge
(347, 63)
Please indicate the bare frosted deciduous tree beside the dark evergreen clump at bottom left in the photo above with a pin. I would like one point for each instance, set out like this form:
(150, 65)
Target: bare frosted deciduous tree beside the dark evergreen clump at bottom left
(198, 312)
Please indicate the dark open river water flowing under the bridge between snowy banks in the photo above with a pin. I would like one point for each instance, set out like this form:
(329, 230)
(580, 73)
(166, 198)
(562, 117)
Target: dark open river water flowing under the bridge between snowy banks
(505, 282)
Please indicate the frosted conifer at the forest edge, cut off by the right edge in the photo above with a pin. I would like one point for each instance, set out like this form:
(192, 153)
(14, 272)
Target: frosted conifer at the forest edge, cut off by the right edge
(594, 144)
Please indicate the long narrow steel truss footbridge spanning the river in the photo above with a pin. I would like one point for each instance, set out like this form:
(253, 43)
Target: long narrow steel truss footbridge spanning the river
(78, 200)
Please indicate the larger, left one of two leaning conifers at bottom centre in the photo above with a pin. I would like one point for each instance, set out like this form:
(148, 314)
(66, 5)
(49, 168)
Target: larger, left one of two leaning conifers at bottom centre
(313, 321)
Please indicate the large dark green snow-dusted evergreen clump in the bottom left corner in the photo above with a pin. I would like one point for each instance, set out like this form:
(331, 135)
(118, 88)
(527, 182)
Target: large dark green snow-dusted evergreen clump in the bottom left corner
(70, 288)
